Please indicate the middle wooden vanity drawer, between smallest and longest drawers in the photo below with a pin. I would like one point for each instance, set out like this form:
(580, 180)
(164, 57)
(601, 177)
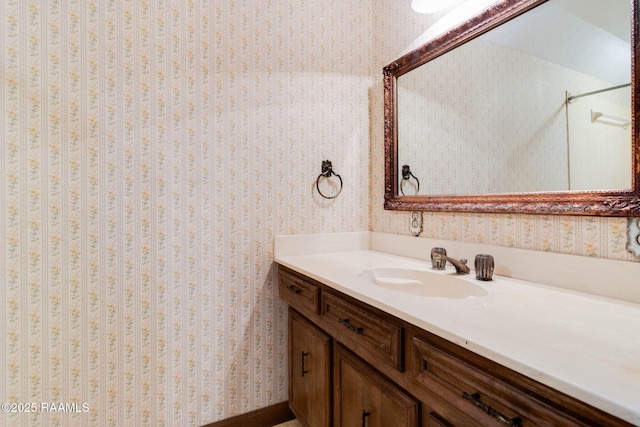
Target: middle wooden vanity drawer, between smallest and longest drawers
(380, 338)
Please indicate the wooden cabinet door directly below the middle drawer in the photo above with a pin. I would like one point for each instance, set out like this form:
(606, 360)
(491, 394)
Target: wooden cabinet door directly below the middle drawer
(364, 398)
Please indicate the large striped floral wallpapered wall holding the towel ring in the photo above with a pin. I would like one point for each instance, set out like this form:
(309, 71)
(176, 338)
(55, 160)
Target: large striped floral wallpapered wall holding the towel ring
(150, 151)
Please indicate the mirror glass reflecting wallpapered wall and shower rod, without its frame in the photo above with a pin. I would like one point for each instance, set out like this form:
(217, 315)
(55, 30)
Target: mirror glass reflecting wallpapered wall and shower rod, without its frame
(502, 123)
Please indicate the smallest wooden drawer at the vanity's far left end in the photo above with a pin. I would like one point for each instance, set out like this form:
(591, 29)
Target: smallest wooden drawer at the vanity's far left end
(298, 292)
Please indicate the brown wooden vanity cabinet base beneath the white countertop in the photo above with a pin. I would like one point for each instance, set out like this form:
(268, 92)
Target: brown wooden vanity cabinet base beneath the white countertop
(368, 368)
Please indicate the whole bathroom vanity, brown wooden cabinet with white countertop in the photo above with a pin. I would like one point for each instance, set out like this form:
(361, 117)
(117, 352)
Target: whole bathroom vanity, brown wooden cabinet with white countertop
(363, 353)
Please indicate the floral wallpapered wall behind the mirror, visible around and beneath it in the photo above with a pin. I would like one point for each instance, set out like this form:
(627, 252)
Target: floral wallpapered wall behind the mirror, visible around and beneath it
(397, 31)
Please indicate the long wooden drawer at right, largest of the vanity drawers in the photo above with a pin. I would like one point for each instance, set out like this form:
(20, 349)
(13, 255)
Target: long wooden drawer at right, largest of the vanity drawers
(493, 394)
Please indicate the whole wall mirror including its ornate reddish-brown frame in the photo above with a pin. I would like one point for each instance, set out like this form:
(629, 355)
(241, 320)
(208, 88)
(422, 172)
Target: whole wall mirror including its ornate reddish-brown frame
(495, 136)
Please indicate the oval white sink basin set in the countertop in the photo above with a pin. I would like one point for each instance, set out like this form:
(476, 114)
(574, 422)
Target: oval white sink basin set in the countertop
(424, 283)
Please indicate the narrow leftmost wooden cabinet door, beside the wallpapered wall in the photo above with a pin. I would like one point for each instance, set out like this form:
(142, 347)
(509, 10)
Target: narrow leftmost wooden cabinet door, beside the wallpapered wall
(309, 372)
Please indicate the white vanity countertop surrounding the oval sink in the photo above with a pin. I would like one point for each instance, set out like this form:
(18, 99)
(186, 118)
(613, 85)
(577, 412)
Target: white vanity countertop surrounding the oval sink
(584, 345)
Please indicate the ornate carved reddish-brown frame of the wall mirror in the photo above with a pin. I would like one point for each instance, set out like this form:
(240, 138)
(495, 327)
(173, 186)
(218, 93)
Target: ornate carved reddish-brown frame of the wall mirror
(621, 203)
